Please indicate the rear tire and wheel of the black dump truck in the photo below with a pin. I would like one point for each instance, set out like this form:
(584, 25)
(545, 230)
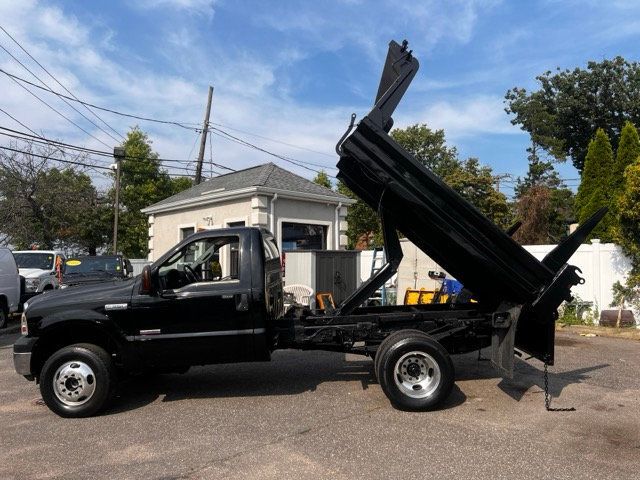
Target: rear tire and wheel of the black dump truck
(415, 371)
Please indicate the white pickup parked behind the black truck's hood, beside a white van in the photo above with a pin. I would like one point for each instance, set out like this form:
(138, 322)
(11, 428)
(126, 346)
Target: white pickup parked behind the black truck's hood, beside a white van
(38, 267)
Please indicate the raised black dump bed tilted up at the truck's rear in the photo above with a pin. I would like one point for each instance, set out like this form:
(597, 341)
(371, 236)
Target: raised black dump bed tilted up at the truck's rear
(409, 197)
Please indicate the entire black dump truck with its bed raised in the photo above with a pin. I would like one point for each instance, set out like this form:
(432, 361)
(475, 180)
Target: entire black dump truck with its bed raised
(188, 308)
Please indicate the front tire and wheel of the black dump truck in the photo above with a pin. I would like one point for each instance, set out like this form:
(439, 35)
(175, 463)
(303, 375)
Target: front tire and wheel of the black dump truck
(78, 380)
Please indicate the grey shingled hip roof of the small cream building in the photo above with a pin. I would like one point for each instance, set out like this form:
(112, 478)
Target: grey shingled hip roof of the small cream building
(268, 176)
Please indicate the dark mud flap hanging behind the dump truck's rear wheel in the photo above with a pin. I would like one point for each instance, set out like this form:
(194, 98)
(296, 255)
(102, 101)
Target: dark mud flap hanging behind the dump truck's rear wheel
(504, 323)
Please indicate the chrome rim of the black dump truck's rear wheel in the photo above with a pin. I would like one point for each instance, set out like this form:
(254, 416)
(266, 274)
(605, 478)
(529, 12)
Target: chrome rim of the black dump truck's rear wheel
(417, 374)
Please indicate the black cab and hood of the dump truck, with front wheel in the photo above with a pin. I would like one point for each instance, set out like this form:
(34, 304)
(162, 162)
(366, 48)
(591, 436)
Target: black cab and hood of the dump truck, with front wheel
(210, 299)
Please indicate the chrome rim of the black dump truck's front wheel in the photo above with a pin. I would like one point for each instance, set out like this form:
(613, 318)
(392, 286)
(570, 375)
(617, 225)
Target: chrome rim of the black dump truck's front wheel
(74, 383)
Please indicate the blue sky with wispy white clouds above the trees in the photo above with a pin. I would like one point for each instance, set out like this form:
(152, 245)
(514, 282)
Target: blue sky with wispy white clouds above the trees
(287, 75)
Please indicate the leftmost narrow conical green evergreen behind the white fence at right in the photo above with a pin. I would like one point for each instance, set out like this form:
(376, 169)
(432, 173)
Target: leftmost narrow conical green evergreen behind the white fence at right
(596, 189)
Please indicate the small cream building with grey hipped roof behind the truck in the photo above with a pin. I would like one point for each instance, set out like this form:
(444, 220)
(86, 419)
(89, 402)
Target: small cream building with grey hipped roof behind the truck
(303, 215)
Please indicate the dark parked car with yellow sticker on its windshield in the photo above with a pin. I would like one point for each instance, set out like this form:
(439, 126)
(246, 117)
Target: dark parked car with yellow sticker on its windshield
(86, 269)
